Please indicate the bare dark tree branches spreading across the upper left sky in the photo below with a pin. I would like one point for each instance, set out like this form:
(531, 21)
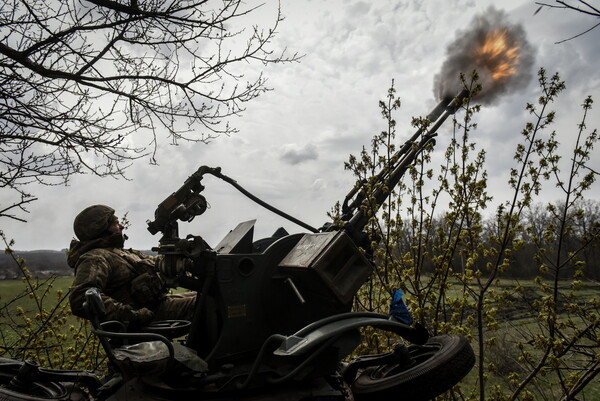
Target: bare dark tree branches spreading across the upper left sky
(79, 77)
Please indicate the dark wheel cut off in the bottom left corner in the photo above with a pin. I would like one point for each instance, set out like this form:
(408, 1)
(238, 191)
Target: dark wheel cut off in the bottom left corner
(34, 390)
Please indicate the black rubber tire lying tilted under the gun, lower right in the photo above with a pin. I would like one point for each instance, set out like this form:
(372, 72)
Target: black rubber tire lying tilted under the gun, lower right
(439, 365)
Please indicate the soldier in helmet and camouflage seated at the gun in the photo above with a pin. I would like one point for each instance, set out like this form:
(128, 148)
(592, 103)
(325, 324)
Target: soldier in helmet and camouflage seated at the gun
(129, 282)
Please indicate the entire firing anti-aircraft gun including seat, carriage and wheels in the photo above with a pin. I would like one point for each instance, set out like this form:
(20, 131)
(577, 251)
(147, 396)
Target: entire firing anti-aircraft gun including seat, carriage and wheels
(272, 319)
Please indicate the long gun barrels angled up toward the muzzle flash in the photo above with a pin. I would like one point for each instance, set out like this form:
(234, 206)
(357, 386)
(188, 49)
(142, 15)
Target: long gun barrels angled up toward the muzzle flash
(354, 216)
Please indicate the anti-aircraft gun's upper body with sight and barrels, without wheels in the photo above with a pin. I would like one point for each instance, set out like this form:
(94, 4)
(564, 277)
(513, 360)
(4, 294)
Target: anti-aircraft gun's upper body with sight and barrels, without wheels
(251, 291)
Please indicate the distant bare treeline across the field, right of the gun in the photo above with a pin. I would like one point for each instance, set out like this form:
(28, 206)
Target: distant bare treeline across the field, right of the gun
(538, 236)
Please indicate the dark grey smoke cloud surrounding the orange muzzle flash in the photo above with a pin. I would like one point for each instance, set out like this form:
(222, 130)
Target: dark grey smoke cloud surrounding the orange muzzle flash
(462, 58)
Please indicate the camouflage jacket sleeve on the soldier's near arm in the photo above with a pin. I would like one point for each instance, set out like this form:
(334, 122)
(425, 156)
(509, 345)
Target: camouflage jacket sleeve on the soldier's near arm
(101, 269)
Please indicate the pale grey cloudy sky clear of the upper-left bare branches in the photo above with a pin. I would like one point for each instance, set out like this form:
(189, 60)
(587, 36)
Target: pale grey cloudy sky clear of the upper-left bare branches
(293, 141)
